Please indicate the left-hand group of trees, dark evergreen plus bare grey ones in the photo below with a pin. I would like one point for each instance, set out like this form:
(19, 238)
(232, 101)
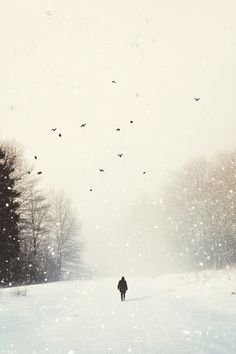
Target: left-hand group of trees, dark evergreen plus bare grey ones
(39, 232)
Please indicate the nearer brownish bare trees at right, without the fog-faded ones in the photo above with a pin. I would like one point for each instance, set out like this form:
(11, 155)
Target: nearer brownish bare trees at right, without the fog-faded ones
(198, 212)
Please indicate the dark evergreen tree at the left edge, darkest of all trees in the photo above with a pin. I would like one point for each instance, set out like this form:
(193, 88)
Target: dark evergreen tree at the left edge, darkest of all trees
(9, 220)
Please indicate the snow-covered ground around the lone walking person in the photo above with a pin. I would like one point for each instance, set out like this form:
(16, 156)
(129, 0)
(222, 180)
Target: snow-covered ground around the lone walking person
(169, 314)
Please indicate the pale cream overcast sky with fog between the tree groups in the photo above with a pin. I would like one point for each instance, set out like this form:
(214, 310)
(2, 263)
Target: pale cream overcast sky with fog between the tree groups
(58, 59)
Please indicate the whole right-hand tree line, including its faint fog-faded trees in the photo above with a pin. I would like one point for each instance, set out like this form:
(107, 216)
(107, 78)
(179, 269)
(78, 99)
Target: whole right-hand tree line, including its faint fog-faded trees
(191, 224)
